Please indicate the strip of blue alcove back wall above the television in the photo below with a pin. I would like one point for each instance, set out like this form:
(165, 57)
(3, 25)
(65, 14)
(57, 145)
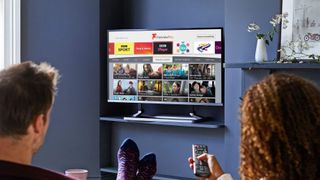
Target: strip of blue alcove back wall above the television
(176, 14)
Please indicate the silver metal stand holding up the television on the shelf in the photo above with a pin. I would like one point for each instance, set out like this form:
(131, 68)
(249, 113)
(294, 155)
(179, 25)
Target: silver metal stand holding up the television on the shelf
(139, 116)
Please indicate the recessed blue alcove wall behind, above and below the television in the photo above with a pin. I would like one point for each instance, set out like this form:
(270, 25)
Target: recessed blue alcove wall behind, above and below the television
(171, 144)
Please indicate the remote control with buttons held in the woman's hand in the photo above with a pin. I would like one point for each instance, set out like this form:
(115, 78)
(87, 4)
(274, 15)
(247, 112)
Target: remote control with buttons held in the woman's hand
(200, 168)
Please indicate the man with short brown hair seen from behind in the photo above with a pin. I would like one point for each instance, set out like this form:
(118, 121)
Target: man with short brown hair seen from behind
(27, 93)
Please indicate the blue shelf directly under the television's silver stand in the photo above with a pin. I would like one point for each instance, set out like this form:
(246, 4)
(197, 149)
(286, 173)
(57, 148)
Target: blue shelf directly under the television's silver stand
(210, 124)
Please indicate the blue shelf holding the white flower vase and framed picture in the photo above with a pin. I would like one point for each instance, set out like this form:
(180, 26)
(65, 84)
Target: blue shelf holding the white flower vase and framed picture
(272, 65)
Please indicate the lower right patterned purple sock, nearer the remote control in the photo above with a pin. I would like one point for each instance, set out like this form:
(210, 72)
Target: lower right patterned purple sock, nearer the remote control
(147, 167)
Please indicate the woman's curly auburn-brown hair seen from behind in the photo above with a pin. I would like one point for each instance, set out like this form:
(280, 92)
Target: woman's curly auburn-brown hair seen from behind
(280, 129)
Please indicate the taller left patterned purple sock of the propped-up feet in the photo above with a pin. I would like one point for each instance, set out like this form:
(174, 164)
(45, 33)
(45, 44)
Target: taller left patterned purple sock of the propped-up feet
(128, 160)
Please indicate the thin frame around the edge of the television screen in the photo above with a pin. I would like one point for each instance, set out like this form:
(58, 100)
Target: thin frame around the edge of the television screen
(168, 102)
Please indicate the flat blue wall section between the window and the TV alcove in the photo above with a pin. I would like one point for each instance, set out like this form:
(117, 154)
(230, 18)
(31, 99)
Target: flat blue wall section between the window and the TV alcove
(66, 34)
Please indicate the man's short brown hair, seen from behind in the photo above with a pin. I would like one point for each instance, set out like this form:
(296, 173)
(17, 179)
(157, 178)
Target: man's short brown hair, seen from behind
(26, 90)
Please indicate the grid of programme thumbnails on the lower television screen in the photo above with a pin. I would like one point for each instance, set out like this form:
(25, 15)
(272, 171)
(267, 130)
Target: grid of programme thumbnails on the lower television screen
(149, 81)
